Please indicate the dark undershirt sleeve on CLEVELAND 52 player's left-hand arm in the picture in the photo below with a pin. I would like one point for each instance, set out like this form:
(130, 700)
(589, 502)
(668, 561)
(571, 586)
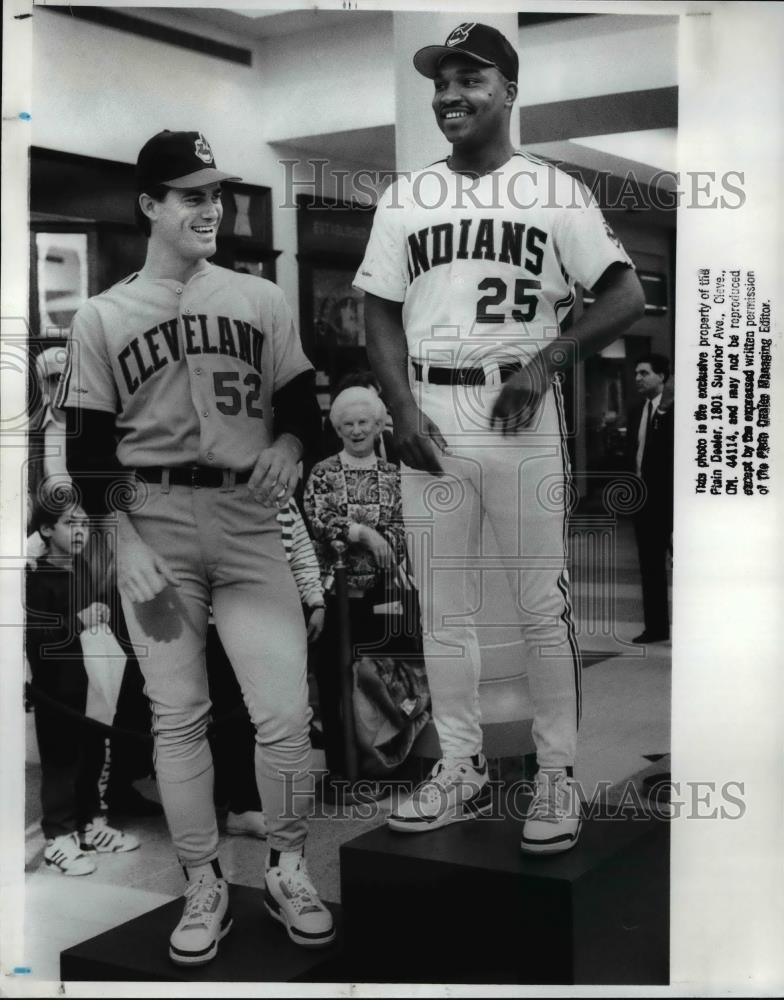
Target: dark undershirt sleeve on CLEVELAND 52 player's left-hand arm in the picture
(91, 459)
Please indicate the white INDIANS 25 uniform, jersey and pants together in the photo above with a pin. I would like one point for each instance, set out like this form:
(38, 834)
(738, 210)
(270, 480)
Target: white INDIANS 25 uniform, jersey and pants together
(486, 268)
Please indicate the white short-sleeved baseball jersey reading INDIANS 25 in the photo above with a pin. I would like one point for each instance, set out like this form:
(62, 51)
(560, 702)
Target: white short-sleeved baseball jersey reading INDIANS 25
(483, 266)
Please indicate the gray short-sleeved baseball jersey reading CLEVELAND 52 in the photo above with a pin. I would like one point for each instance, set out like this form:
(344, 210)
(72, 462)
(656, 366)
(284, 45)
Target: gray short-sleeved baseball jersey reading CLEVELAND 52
(188, 368)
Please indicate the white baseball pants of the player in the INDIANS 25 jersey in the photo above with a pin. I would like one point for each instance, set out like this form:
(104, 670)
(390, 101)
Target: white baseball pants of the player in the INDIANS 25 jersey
(519, 483)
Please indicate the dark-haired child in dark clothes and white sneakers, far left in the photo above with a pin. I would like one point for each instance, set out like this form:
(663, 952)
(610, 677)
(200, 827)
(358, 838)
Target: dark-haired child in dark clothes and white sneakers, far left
(59, 607)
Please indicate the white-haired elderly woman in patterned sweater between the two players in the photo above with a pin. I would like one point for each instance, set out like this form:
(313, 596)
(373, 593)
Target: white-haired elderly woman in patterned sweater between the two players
(353, 497)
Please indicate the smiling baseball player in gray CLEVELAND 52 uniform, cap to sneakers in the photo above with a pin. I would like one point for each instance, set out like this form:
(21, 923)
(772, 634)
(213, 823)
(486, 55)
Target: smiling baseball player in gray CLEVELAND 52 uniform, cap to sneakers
(198, 374)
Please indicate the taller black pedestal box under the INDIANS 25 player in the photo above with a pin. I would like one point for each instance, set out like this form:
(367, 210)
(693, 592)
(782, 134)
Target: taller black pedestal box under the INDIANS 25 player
(464, 905)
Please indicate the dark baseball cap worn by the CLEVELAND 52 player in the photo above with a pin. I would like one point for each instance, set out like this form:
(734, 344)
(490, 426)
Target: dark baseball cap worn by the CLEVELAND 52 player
(178, 159)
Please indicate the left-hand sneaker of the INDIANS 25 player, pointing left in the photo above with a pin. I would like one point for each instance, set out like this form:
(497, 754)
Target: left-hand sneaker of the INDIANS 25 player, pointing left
(454, 791)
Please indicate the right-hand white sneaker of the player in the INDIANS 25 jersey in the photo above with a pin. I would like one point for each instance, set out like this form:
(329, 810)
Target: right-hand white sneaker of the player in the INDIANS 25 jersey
(553, 821)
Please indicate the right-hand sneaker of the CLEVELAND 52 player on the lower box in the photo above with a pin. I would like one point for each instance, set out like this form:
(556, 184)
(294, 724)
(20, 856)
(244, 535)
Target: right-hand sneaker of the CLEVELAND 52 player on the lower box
(293, 901)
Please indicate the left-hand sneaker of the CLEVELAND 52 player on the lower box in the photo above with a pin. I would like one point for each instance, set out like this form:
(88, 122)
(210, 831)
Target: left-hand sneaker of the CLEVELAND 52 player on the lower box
(205, 920)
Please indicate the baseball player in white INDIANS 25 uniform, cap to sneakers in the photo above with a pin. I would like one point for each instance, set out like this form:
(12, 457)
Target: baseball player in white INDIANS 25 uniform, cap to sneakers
(469, 272)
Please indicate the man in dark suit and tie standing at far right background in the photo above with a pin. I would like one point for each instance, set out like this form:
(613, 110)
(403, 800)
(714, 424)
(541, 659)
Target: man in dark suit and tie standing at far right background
(650, 455)
